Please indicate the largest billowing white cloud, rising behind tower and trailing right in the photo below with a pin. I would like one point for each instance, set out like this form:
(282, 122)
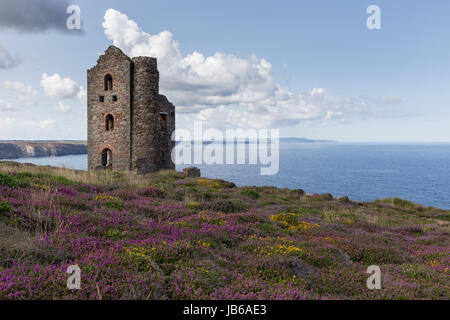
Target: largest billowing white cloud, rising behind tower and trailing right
(223, 89)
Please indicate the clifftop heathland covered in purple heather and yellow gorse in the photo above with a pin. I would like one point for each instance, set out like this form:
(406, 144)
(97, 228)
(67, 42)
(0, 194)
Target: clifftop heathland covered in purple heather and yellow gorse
(165, 236)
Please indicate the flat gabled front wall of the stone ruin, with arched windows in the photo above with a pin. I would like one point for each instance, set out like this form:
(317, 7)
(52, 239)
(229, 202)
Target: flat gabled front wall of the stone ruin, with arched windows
(119, 66)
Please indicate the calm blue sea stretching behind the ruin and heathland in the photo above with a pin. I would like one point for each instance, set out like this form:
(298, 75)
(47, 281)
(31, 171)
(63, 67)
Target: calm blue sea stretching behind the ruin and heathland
(416, 172)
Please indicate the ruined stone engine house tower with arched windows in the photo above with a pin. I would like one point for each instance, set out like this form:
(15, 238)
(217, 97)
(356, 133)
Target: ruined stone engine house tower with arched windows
(129, 123)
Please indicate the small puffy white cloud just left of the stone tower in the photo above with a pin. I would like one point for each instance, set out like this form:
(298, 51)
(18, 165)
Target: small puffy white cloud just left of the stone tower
(61, 88)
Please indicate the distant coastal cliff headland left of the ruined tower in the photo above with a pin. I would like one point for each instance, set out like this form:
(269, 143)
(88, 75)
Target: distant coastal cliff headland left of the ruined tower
(15, 150)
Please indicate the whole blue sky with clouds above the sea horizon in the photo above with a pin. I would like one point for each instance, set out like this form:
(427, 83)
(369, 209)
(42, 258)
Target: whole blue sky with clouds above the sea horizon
(310, 68)
